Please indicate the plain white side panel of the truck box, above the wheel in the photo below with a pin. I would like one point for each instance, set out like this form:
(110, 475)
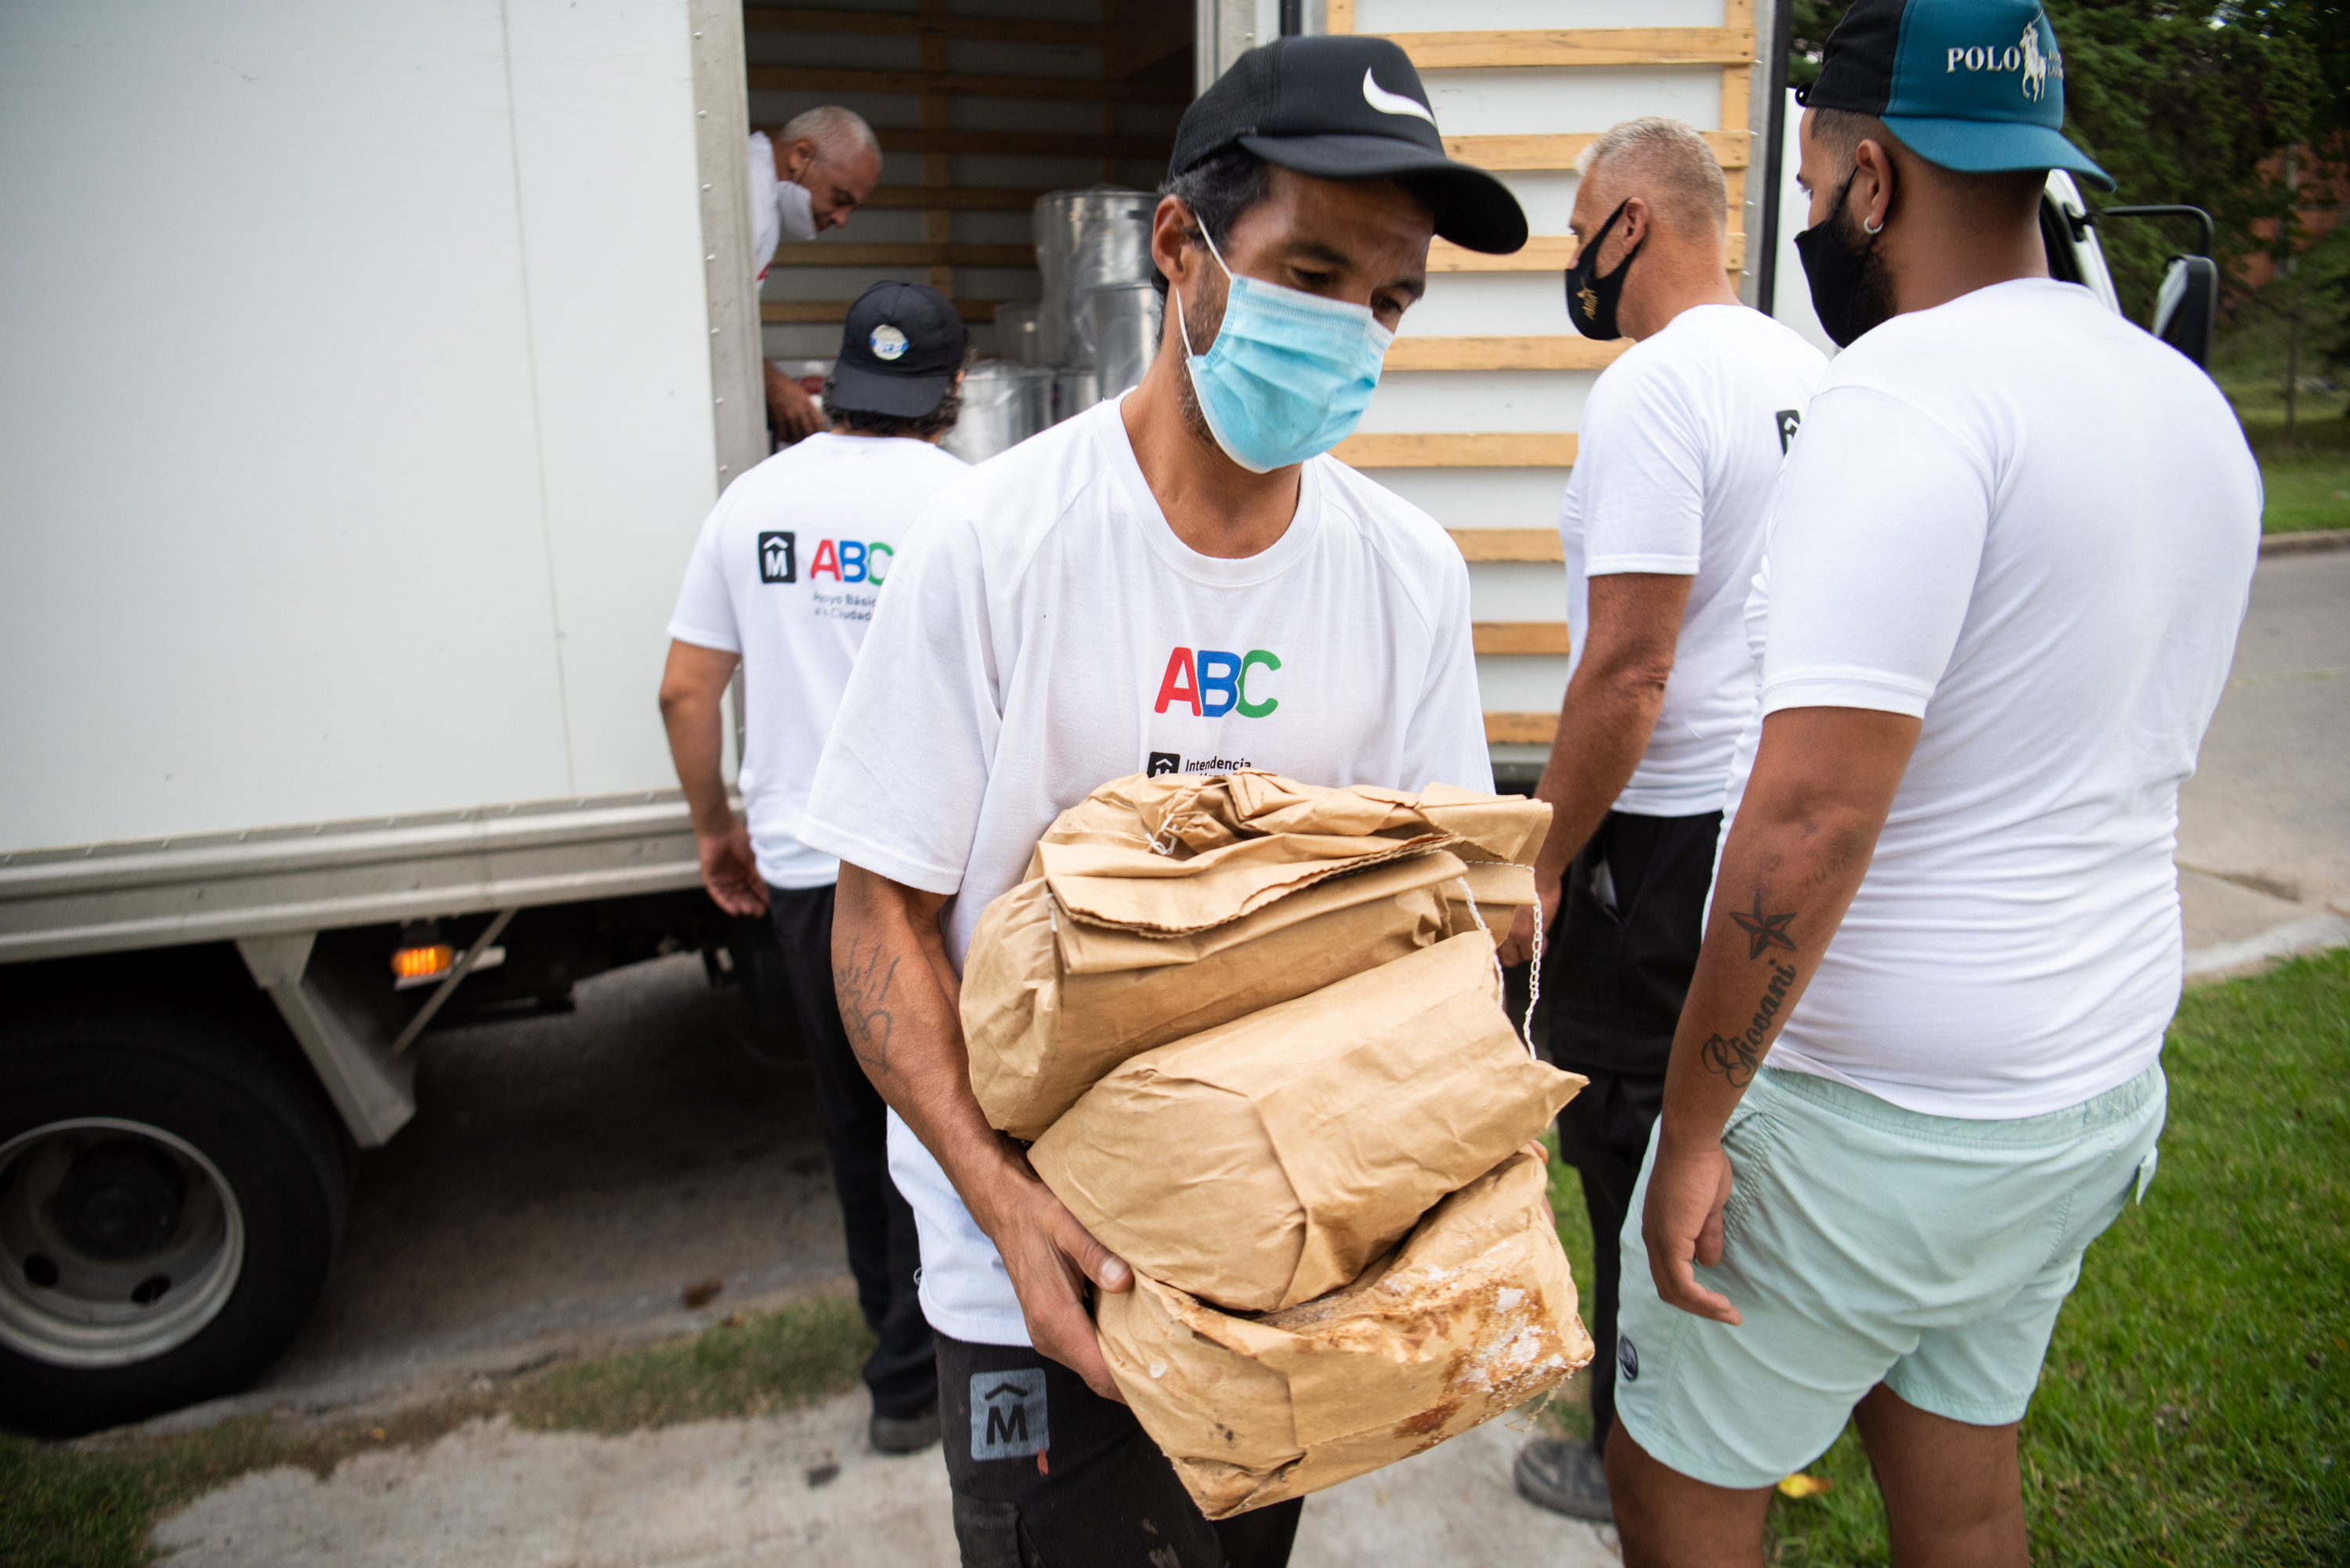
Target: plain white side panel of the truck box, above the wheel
(358, 410)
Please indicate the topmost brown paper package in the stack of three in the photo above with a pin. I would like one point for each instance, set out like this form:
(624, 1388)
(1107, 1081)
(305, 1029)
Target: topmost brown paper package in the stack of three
(1258, 892)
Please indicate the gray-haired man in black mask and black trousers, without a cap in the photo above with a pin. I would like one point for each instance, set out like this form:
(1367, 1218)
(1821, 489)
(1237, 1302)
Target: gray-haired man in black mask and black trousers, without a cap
(1663, 528)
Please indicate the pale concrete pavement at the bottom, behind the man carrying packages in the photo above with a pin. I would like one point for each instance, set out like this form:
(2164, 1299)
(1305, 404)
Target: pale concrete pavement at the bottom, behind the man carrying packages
(788, 1489)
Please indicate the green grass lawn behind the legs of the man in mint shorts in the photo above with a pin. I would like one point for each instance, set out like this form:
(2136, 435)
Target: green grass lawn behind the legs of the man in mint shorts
(2196, 1402)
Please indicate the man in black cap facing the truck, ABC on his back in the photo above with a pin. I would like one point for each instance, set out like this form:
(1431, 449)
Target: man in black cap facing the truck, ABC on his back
(784, 582)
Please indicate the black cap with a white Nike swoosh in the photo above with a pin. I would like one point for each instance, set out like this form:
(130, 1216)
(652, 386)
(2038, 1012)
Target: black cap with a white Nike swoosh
(1348, 109)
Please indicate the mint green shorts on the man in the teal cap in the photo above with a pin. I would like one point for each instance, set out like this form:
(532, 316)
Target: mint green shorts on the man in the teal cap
(1872, 1245)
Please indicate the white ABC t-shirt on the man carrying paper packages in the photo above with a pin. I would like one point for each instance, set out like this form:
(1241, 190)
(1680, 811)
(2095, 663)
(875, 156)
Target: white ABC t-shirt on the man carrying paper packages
(1054, 634)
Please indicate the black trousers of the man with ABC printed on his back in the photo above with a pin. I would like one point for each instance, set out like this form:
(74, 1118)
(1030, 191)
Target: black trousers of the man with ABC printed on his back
(885, 1254)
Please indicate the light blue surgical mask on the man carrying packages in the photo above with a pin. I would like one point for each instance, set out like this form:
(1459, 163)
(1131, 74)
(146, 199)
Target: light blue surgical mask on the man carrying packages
(1289, 373)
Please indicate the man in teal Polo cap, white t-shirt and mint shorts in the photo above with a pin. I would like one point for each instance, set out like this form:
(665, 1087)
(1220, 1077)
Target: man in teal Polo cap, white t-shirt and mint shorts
(1994, 615)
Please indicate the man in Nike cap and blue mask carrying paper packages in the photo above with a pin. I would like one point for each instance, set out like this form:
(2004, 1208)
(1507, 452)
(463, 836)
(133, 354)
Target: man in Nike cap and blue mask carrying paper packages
(1174, 582)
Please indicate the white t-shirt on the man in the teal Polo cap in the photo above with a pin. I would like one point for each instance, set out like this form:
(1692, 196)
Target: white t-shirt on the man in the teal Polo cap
(2034, 528)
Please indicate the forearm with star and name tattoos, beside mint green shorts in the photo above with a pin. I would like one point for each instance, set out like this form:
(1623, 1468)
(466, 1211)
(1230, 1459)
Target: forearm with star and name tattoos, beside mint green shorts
(1792, 866)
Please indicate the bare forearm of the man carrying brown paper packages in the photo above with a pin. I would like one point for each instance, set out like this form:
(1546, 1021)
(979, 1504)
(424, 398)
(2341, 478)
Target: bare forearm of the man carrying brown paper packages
(901, 1007)
